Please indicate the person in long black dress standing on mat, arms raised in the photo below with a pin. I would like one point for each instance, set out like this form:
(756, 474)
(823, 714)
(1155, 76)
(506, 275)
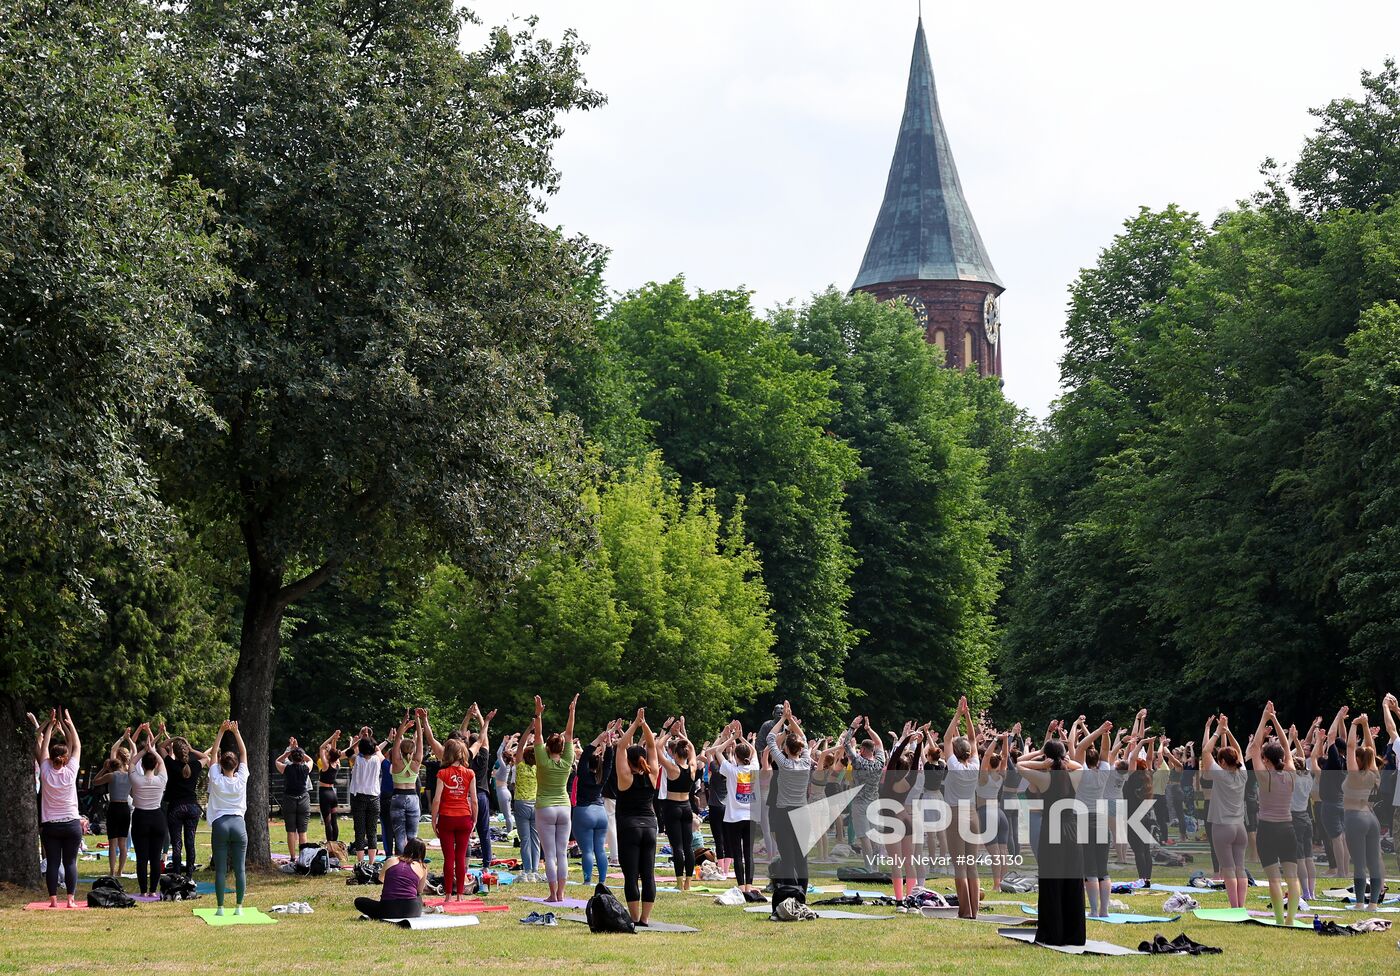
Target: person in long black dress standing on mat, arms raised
(1060, 908)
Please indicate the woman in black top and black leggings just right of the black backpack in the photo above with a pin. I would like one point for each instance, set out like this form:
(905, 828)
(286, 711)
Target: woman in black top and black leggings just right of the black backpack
(636, 820)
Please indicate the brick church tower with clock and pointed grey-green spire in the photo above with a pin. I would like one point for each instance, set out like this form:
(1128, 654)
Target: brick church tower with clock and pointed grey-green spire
(926, 250)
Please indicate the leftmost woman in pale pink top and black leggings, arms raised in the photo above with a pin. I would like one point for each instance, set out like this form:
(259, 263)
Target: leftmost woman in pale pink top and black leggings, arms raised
(59, 824)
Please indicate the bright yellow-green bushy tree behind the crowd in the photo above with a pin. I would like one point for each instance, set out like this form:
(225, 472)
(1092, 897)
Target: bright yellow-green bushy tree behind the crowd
(670, 611)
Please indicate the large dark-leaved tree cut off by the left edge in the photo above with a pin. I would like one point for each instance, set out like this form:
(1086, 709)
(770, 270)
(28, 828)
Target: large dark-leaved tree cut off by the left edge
(103, 257)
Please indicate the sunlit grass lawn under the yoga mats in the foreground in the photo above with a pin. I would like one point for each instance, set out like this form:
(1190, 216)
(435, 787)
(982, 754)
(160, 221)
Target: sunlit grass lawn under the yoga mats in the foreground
(166, 939)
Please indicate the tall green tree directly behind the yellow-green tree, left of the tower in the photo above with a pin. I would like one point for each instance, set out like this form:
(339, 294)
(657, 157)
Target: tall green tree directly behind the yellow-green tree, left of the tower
(734, 407)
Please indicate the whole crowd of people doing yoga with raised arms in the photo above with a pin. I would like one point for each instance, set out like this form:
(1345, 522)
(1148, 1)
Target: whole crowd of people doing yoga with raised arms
(957, 802)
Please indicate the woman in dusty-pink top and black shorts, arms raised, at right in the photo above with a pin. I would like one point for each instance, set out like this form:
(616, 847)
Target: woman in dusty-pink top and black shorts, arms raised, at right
(1277, 845)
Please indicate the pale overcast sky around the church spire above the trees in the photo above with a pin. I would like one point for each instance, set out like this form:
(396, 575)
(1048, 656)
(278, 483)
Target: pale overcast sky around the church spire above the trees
(747, 145)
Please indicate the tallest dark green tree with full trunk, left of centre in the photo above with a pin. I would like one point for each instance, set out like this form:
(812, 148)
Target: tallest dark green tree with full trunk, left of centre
(377, 372)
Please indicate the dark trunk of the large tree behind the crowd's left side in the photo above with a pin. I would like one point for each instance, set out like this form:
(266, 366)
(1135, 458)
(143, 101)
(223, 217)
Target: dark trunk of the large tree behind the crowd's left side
(251, 702)
